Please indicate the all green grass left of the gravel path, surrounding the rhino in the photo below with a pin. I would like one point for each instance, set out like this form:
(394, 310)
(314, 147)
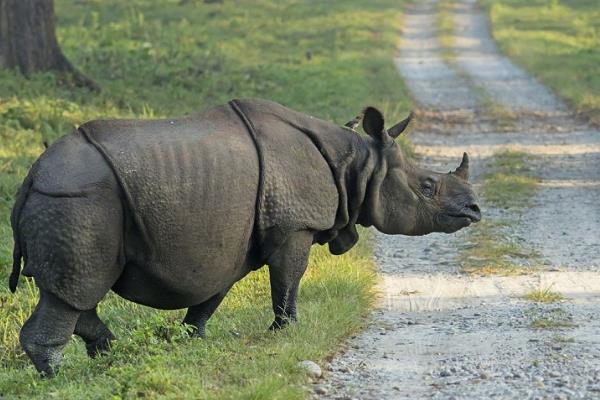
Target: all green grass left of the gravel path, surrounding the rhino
(165, 58)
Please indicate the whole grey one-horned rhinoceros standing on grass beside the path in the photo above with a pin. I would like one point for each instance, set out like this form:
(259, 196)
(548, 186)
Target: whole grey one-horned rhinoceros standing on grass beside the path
(171, 213)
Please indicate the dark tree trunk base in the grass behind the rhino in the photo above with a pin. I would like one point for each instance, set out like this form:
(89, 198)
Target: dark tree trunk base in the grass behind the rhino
(28, 40)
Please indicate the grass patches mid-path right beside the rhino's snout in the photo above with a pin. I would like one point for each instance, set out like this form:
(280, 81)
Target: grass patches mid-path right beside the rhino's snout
(508, 185)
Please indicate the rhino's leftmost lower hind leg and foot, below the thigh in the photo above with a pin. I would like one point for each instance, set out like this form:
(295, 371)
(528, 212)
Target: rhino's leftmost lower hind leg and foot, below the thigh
(47, 331)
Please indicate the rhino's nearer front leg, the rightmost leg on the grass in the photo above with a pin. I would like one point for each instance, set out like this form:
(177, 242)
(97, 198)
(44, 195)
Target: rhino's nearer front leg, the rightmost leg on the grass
(286, 267)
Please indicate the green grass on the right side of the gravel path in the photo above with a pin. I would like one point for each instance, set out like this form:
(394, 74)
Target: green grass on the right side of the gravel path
(557, 41)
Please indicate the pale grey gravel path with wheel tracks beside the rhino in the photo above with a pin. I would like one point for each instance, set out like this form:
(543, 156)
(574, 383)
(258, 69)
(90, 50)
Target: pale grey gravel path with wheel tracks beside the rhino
(444, 335)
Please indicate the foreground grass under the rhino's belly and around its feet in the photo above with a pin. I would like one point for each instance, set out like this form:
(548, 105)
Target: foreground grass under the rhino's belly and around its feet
(154, 357)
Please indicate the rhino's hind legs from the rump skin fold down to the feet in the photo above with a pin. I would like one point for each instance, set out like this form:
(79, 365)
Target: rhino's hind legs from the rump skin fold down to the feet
(73, 249)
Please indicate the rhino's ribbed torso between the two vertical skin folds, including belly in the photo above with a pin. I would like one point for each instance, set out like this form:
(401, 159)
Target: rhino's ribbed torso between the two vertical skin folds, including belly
(191, 187)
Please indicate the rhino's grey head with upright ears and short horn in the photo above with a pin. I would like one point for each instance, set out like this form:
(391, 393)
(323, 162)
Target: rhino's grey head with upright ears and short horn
(405, 199)
